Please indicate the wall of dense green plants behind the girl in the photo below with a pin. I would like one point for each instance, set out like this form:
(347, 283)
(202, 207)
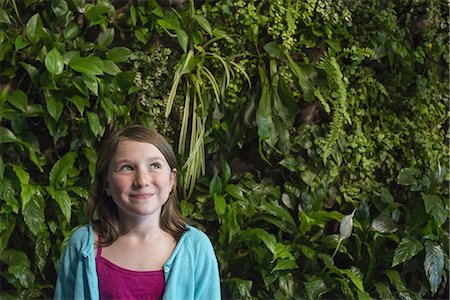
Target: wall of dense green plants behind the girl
(312, 135)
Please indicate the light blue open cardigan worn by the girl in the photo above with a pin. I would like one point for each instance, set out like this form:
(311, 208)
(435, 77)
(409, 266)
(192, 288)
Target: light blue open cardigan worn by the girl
(190, 273)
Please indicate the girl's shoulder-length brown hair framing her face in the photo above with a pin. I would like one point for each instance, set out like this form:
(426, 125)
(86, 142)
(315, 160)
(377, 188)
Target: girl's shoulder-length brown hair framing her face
(103, 206)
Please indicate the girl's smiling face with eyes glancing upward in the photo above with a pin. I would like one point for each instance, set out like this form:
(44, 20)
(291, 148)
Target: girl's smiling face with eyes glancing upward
(139, 179)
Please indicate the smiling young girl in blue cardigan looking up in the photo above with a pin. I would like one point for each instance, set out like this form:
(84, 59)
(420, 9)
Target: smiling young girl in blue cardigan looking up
(140, 247)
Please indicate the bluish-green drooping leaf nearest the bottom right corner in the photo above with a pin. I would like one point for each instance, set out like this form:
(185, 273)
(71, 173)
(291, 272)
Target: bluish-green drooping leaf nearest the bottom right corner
(433, 264)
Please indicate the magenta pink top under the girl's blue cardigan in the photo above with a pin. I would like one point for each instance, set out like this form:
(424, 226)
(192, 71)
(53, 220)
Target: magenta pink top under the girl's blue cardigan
(115, 282)
